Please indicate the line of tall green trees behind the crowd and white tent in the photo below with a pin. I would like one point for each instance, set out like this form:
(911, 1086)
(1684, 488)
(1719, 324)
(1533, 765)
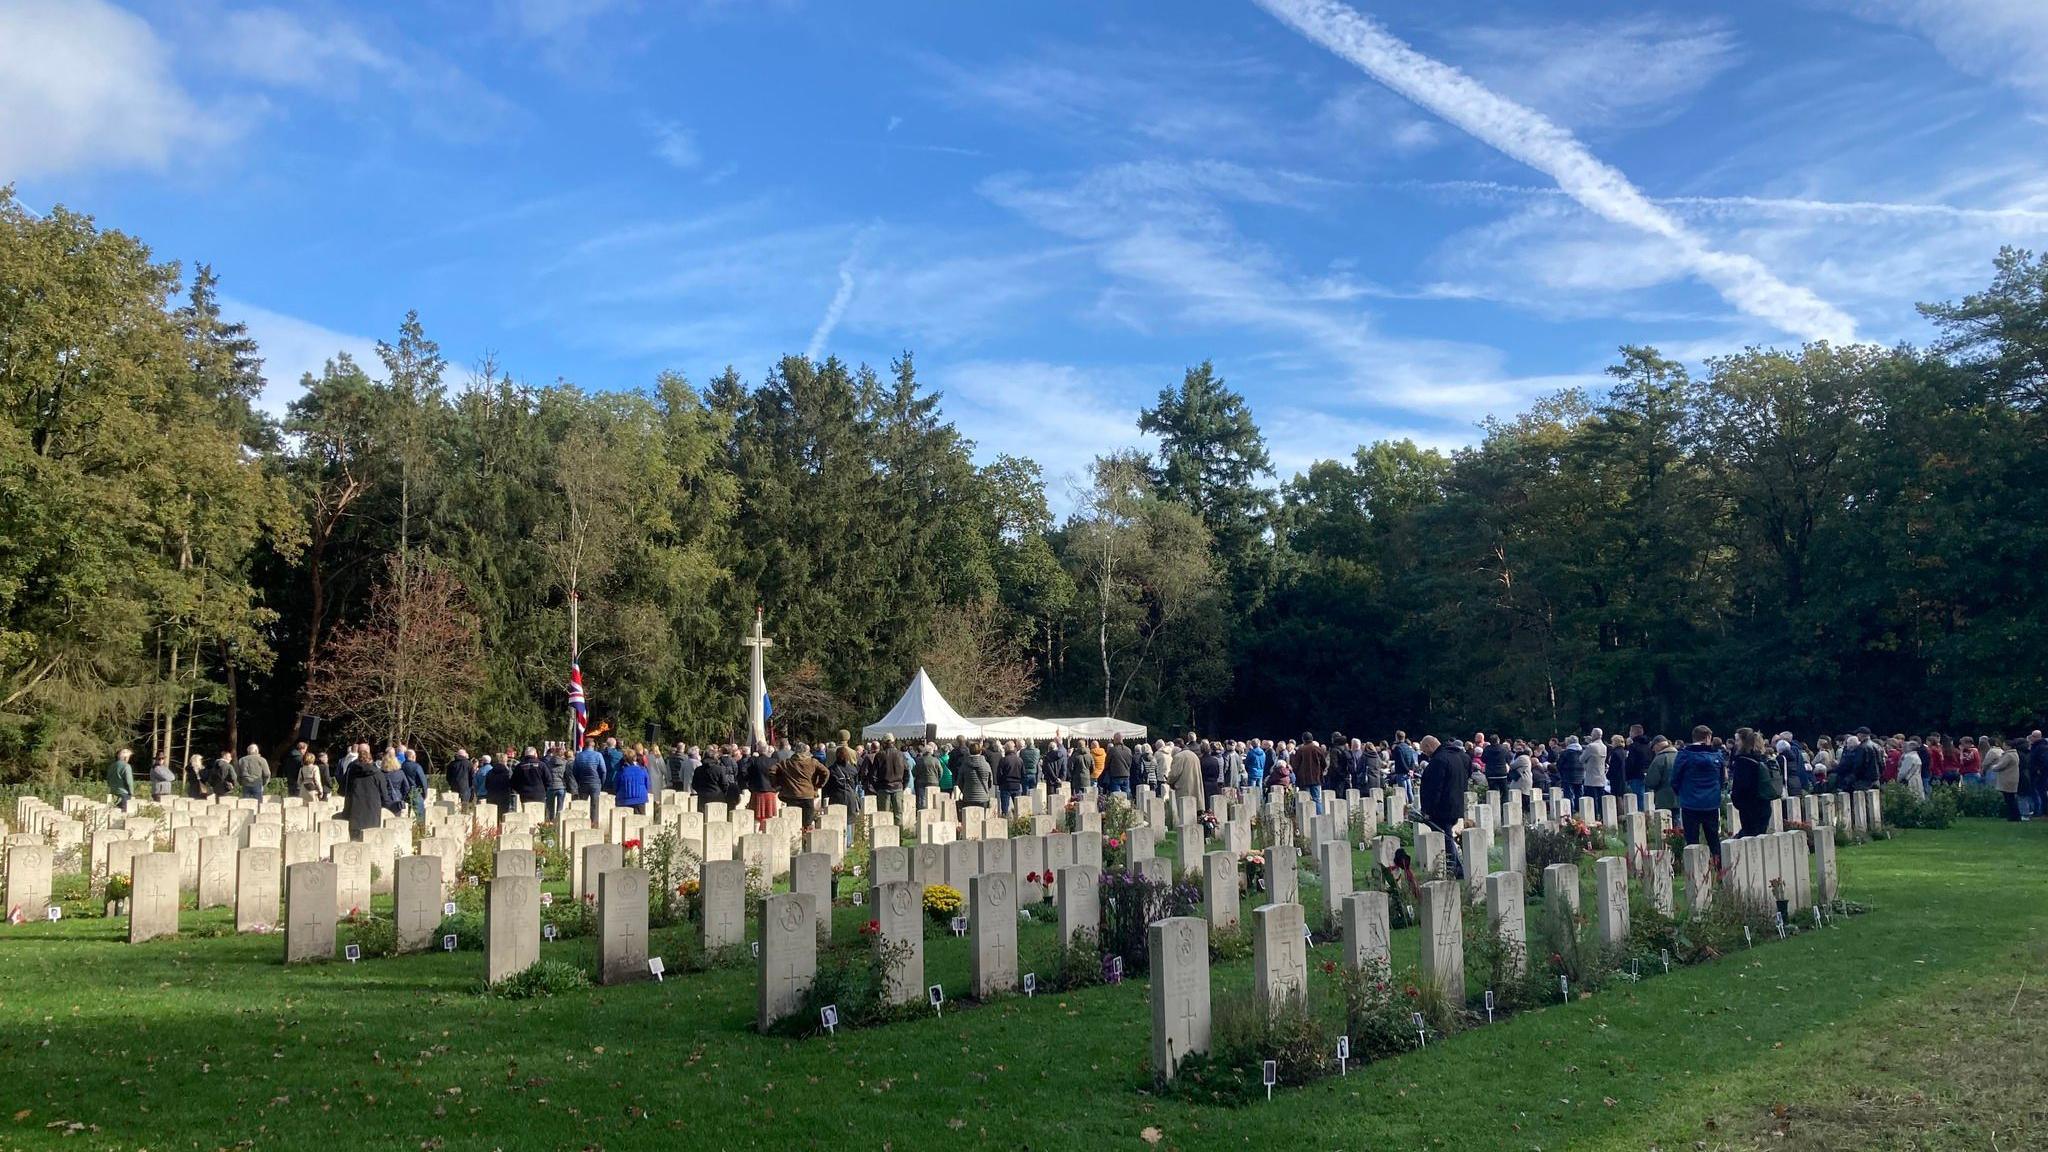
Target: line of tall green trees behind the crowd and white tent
(1795, 538)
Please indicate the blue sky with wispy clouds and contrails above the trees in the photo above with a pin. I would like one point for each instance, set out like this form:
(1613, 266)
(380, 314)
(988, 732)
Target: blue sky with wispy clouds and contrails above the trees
(1379, 220)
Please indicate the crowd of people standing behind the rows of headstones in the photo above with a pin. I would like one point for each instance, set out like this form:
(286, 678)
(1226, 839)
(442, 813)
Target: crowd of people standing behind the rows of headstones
(1691, 778)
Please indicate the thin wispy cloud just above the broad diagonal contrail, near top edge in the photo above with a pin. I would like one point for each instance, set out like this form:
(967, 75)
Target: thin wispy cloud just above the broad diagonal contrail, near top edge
(1594, 75)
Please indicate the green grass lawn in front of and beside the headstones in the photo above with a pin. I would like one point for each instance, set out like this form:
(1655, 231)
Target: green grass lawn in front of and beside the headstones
(1906, 1028)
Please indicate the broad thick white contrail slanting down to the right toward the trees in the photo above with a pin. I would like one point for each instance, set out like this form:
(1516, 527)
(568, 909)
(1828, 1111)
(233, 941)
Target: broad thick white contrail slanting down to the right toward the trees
(1535, 140)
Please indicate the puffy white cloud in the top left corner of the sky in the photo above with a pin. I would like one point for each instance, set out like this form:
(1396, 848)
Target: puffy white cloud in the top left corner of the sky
(85, 85)
